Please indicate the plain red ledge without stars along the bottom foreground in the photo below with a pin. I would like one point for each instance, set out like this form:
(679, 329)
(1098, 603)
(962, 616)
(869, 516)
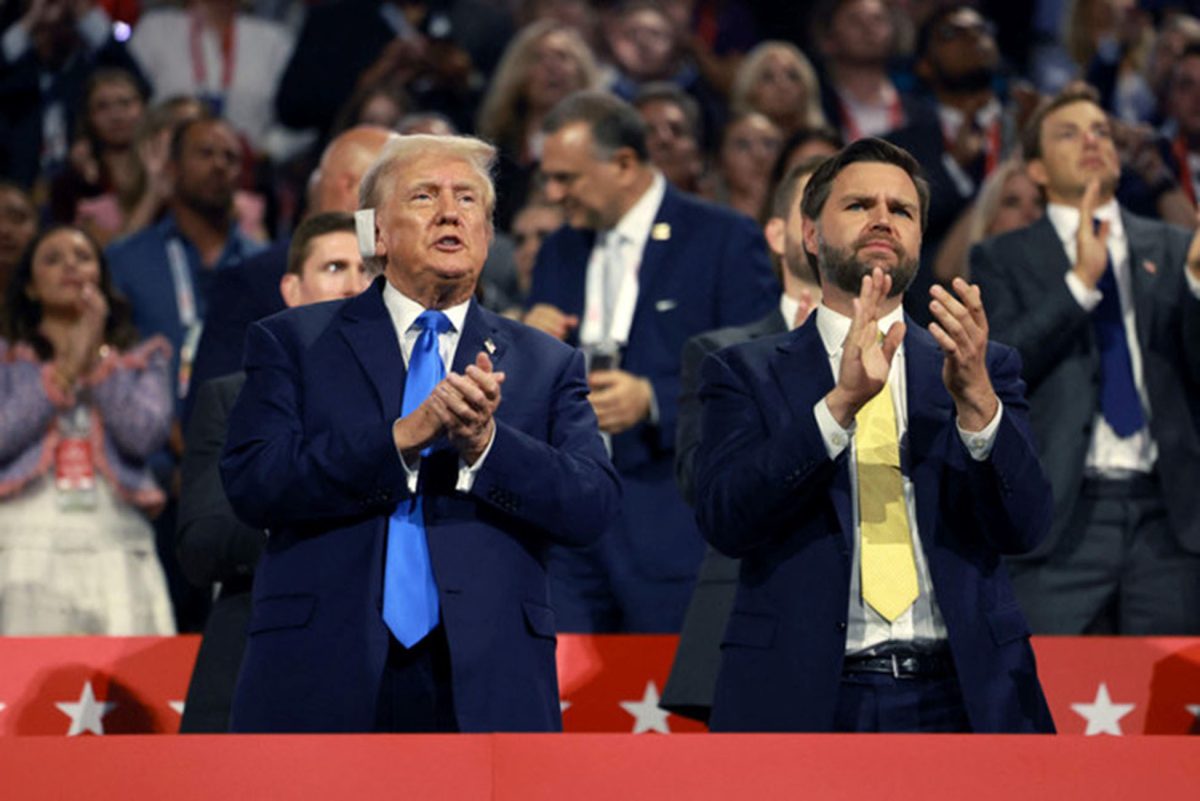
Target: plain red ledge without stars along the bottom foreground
(602, 768)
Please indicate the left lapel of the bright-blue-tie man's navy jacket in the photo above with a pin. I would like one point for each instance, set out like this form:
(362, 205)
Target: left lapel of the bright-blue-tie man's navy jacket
(368, 329)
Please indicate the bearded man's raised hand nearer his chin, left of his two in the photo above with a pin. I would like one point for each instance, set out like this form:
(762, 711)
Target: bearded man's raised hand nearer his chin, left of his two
(866, 359)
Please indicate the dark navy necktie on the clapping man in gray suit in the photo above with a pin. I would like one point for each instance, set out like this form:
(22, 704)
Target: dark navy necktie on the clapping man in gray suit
(1120, 403)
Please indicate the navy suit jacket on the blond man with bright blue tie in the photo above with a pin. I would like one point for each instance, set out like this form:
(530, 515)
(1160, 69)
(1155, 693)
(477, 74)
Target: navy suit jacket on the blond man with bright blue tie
(310, 457)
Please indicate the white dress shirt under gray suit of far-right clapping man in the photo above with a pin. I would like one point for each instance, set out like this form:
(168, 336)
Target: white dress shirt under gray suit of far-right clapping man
(1111, 455)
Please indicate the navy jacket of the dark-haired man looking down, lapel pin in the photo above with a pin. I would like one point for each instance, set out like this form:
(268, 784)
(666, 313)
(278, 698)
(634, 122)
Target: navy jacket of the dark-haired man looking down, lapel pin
(711, 272)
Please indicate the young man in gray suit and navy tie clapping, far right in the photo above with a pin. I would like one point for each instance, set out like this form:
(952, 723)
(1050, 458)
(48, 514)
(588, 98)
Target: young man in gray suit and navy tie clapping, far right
(1105, 308)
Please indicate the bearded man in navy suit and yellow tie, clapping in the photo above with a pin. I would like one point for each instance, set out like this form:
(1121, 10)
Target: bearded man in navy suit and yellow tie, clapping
(871, 474)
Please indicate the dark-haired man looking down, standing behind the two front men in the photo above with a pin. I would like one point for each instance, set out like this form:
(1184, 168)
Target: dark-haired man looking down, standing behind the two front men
(639, 270)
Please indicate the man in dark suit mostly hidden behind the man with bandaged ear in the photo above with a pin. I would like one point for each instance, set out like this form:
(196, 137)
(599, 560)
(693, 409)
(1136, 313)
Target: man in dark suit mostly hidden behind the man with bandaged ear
(217, 549)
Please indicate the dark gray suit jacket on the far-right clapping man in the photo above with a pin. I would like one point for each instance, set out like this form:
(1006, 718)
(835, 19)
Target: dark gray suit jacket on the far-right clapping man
(1031, 309)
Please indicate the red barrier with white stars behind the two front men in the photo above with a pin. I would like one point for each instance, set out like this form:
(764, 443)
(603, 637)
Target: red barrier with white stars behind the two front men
(57, 686)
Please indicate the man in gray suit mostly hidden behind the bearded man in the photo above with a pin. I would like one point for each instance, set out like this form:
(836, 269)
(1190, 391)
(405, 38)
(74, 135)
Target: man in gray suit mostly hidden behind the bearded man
(689, 690)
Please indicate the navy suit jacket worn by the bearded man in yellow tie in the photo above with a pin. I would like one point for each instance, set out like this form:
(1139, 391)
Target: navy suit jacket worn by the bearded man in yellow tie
(769, 493)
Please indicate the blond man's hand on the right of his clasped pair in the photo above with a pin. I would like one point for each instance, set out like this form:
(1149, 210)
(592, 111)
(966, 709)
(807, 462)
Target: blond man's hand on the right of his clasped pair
(466, 406)
